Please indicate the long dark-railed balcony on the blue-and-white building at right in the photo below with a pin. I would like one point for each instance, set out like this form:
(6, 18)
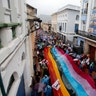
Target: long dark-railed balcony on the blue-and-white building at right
(88, 35)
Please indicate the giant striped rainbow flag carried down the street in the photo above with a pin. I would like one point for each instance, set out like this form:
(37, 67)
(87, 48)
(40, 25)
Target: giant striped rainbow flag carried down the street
(72, 81)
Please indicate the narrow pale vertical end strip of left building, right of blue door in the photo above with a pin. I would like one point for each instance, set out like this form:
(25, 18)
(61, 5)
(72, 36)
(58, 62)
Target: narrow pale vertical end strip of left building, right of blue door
(27, 69)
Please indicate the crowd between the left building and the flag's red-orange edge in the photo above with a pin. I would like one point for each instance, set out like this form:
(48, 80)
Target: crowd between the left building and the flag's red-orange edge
(41, 85)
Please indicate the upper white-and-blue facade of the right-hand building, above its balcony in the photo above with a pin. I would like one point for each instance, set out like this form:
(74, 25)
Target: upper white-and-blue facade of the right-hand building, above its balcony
(87, 15)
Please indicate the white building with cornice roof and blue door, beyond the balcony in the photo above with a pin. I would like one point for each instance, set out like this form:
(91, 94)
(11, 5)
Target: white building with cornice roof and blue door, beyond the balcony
(68, 21)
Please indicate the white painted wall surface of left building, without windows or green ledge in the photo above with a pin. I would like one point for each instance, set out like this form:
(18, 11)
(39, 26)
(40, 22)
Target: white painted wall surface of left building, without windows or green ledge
(11, 54)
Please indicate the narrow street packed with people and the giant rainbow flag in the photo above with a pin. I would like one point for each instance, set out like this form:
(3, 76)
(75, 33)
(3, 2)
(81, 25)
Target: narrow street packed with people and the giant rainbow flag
(61, 71)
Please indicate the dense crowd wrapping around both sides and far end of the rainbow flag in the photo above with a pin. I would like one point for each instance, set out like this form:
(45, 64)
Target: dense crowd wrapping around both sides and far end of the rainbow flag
(41, 85)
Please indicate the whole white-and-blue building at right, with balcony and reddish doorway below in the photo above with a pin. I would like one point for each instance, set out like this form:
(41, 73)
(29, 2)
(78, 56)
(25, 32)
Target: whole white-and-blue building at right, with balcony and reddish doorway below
(86, 37)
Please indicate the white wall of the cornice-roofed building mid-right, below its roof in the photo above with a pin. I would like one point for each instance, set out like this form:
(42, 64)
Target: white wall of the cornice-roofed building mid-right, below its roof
(68, 17)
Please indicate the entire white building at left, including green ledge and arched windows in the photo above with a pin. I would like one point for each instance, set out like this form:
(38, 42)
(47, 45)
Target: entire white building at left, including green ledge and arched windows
(15, 70)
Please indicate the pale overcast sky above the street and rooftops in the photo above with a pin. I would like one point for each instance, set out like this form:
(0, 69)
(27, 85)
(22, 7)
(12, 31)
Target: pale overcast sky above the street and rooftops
(48, 7)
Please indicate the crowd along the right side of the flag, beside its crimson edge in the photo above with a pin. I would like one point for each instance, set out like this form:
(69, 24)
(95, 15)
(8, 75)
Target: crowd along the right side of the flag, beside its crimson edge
(83, 61)
